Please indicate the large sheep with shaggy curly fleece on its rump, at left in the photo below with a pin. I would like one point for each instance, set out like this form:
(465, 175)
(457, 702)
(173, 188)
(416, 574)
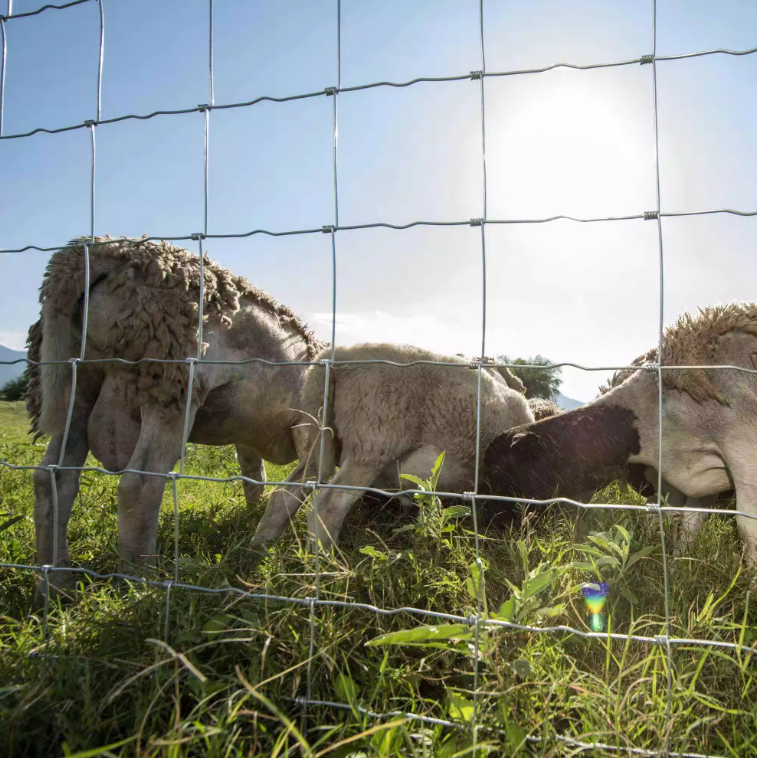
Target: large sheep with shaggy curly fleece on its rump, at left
(143, 303)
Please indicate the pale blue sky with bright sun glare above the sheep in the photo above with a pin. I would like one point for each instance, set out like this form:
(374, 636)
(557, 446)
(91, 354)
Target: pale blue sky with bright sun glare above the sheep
(570, 142)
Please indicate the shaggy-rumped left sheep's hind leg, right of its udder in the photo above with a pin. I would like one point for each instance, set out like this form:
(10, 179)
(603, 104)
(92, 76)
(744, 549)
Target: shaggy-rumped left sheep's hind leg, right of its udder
(139, 495)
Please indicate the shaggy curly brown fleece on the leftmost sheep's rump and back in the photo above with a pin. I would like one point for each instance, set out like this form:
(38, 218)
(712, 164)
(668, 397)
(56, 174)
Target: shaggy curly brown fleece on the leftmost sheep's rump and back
(157, 310)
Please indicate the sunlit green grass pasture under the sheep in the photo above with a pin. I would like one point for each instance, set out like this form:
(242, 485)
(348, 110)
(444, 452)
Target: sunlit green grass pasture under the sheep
(104, 679)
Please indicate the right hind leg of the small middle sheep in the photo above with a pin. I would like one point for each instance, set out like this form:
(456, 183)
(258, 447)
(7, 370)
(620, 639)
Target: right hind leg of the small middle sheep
(334, 504)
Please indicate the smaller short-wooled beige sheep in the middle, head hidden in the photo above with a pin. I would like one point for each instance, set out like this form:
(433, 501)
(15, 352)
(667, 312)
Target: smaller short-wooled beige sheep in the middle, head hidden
(385, 417)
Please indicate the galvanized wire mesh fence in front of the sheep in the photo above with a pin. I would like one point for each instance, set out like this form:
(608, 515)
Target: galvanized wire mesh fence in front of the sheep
(478, 620)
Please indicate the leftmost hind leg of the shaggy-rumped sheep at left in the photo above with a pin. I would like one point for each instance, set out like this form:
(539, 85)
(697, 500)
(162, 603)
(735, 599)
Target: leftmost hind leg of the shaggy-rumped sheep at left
(66, 488)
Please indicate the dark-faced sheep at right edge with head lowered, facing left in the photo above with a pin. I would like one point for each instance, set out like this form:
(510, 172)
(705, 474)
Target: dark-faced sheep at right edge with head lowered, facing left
(709, 434)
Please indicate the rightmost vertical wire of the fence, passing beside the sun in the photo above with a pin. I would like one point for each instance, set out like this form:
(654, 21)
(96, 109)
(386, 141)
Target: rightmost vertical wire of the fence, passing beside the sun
(660, 335)
